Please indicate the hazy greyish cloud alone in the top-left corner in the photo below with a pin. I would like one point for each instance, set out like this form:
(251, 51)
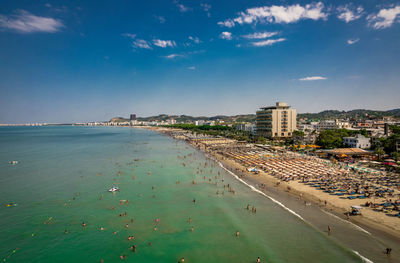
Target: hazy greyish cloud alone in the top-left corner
(24, 22)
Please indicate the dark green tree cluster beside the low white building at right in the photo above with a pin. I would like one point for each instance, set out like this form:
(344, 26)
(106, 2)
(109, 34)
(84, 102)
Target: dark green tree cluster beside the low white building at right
(334, 138)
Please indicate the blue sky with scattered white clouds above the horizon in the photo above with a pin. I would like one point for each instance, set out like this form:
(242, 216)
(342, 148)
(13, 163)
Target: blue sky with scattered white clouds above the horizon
(76, 61)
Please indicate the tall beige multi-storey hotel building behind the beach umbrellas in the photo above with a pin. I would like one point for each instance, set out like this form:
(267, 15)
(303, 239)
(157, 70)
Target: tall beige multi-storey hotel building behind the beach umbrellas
(276, 122)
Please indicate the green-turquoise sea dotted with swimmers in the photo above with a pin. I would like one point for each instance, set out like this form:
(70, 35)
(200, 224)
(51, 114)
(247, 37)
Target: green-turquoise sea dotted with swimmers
(62, 179)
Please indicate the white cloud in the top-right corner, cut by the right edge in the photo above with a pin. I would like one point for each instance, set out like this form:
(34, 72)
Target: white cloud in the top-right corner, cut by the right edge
(384, 18)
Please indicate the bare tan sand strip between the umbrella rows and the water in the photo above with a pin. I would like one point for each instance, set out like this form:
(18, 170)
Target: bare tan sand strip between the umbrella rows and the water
(378, 222)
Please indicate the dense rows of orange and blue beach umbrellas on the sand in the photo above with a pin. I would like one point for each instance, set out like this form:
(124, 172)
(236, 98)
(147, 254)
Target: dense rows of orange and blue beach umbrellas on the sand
(378, 190)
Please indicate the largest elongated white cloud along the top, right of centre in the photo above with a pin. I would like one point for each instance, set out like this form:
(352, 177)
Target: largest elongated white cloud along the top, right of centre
(278, 14)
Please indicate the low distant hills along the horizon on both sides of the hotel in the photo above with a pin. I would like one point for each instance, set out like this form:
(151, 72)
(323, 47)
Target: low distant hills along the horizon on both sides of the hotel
(327, 114)
